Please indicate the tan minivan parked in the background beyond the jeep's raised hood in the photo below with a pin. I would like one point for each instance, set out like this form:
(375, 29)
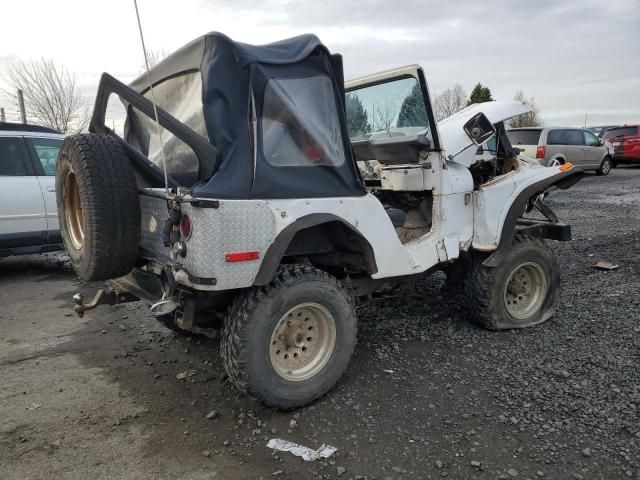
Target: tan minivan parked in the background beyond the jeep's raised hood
(551, 145)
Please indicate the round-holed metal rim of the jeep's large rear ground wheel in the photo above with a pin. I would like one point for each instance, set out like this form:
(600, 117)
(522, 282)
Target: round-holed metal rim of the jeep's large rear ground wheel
(302, 342)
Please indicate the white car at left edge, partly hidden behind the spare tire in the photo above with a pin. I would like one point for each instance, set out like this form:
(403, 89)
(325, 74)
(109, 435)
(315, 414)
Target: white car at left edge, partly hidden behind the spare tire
(28, 213)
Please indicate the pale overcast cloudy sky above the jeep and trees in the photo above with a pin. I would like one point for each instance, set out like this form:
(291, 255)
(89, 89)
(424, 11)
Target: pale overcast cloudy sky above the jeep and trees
(574, 57)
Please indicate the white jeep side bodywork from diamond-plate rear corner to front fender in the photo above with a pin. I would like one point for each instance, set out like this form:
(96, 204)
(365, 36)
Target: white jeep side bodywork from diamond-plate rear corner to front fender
(462, 218)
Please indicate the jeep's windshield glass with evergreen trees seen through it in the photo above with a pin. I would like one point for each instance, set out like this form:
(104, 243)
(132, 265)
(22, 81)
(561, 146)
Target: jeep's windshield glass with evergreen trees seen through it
(390, 109)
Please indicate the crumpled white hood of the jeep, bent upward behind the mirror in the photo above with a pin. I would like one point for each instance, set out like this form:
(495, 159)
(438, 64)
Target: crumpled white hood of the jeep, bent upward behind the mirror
(452, 136)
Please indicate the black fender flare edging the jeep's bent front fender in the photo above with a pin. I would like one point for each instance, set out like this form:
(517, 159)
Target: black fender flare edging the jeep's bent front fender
(563, 181)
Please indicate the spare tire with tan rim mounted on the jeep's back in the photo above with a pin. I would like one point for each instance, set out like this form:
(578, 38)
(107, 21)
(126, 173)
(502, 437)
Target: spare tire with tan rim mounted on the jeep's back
(98, 206)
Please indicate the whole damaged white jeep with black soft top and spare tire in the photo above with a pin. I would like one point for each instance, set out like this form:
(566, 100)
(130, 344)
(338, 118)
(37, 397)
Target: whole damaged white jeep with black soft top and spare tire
(270, 198)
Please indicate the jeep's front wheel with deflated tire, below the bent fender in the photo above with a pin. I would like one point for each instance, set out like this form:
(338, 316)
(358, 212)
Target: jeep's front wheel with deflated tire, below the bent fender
(523, 290)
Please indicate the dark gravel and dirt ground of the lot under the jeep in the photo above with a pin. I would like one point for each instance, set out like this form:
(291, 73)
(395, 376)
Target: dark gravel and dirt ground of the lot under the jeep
(427, 394)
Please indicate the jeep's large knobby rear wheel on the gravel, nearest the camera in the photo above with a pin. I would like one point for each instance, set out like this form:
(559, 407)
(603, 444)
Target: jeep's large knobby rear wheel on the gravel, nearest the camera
(289, 342)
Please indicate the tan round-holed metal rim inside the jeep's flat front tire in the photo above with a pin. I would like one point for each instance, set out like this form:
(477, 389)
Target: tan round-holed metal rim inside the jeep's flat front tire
(525, 290)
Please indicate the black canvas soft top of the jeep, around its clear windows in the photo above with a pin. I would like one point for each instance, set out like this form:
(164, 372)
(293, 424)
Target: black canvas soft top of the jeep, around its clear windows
(234, 78)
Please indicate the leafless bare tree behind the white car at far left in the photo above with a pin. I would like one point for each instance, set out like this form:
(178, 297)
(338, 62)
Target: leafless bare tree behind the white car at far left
(50, 94)
